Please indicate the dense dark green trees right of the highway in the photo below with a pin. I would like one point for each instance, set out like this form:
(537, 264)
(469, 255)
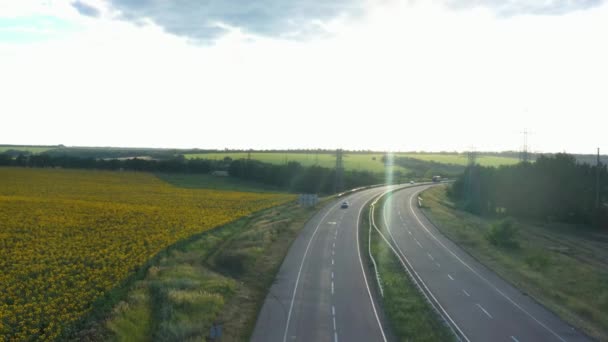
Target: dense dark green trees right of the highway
(553, 188)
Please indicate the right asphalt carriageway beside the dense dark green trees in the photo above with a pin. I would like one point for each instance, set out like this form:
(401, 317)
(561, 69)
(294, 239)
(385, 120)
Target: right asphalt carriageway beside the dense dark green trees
(478, 304)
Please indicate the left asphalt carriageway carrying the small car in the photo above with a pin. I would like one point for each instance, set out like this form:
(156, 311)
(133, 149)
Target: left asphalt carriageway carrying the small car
(321, 292)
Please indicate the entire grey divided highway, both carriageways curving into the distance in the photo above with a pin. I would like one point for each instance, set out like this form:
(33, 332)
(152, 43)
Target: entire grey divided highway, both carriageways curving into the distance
(324, 292)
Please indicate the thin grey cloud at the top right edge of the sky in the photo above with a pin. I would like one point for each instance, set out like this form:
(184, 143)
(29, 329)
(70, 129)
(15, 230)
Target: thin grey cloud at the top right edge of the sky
(519, 7)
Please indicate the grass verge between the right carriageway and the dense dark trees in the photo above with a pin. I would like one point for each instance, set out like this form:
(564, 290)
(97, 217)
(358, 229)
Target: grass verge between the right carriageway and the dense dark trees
(565, 269)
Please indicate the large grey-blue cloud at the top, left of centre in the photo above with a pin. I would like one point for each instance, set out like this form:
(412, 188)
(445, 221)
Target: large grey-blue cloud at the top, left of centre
(205, 20)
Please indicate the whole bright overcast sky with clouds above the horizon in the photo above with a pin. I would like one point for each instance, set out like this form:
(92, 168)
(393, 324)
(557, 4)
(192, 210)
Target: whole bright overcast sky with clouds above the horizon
(434, 75)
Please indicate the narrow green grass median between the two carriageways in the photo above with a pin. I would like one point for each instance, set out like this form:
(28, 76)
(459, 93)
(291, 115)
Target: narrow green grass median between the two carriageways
(410, 316)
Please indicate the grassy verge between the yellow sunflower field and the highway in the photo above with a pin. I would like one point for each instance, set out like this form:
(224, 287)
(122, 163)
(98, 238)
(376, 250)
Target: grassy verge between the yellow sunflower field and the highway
(222, 275)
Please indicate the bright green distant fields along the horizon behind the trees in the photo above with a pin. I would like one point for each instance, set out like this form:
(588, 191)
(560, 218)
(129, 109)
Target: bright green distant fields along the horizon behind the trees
(365, 161)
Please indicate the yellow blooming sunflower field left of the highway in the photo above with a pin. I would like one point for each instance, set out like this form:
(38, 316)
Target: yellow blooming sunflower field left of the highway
(69, 236)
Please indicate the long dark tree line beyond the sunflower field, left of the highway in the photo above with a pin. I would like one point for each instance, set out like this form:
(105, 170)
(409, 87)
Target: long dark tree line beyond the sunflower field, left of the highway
(291, 177)
